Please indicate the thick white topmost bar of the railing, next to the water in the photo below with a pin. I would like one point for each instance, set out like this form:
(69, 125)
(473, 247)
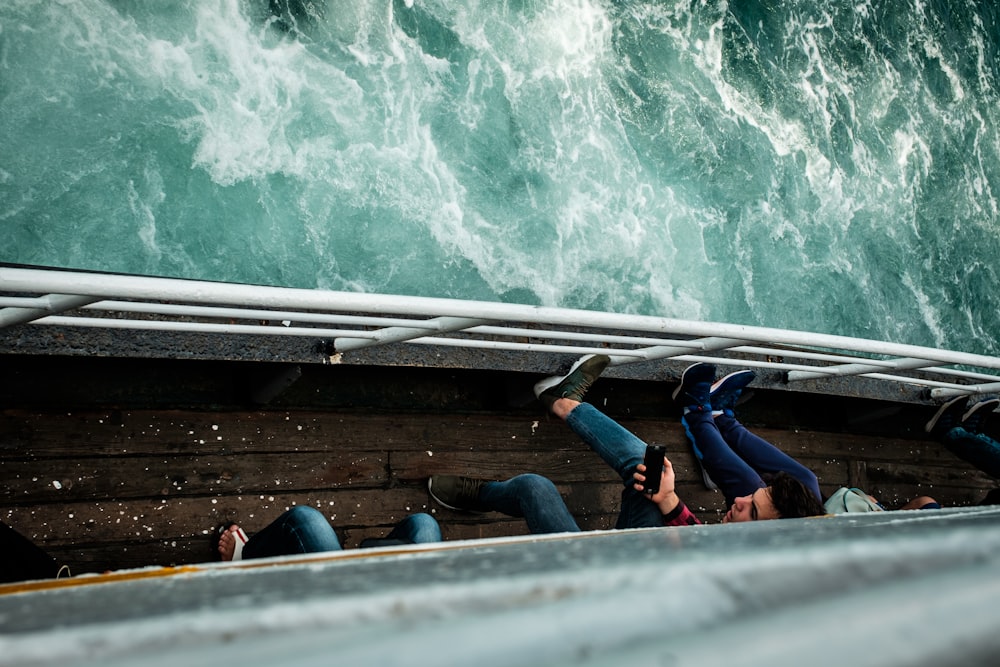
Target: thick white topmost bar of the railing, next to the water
(120, 286)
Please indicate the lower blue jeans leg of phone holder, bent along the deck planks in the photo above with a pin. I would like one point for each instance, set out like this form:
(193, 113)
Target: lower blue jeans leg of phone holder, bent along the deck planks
(532, 497)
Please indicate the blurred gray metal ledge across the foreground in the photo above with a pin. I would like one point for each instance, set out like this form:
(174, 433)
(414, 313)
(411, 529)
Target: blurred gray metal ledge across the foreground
(893, 588)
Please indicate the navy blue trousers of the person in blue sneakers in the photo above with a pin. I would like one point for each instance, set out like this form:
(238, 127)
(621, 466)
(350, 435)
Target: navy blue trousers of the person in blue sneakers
(735, 458)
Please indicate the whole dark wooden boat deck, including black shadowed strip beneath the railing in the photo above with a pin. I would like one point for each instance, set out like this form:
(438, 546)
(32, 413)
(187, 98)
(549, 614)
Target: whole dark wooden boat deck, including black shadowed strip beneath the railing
(124, 463)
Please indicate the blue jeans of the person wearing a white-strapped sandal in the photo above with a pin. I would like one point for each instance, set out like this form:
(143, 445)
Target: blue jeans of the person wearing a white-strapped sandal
(303, 530)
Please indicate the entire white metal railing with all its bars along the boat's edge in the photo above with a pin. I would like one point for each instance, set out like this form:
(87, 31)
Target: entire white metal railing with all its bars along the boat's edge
(354, 321)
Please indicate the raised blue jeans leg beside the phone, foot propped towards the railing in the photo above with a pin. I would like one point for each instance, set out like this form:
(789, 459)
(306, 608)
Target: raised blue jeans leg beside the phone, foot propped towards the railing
(621, 450)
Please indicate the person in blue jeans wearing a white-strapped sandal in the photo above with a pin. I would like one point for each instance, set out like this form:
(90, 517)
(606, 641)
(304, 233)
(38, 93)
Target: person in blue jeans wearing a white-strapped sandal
(303, 530)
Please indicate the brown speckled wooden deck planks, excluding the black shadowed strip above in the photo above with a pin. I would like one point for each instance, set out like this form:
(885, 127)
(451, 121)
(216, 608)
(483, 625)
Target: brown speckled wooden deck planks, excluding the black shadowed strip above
(105, 487)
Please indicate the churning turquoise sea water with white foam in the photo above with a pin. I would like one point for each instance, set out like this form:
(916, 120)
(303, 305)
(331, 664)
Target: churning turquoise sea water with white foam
(826, 166)
